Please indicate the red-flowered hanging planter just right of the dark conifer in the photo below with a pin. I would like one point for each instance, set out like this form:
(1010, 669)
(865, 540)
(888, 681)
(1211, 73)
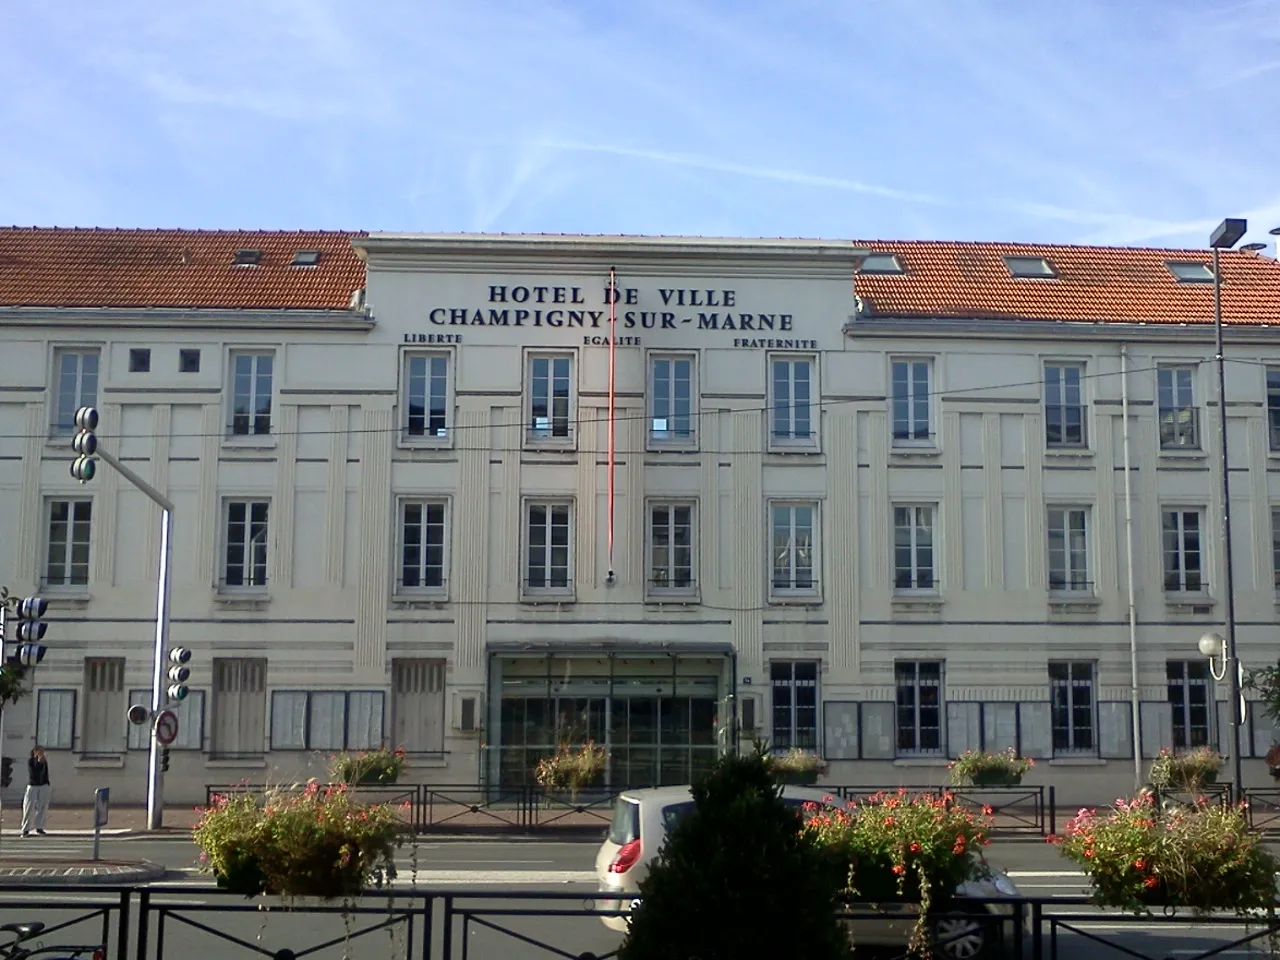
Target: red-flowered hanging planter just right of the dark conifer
(899, 847)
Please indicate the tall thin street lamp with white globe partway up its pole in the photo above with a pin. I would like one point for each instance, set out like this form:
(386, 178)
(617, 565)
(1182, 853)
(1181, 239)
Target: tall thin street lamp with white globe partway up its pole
(1227, 236)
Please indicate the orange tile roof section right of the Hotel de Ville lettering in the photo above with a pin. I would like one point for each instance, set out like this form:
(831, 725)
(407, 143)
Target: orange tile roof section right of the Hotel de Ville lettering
(1128, 285)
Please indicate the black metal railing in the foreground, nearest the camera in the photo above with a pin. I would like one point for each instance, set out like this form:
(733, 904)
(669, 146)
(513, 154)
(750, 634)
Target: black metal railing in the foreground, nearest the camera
(180, 921)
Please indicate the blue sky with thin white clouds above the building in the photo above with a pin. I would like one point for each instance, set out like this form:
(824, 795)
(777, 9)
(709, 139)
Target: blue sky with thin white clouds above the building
(1136, 122)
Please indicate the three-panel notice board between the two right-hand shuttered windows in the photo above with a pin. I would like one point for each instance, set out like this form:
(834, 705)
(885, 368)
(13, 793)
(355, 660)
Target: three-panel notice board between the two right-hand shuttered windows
(324, 720)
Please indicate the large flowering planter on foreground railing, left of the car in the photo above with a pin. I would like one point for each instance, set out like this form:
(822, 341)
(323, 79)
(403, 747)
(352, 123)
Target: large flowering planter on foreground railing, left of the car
(319, 843)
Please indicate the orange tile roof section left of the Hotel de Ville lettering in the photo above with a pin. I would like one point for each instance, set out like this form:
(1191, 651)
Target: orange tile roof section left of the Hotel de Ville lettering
(102, 268)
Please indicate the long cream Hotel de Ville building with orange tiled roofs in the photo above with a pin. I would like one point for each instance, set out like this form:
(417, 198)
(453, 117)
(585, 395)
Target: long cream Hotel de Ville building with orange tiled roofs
(481, 496)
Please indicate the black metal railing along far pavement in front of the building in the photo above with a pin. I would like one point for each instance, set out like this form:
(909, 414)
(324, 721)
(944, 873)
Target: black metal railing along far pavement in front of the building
(472, 810)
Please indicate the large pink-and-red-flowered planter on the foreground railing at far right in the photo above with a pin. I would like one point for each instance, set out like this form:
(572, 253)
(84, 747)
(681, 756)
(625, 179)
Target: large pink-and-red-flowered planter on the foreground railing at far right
(1205, 857)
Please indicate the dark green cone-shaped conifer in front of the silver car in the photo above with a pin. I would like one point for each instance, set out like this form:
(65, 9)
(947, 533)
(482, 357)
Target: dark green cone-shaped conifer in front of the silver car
(739, 877)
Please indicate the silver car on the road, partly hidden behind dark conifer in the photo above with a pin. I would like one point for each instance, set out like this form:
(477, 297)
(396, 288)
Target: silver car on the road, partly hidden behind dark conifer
(642, 820)
